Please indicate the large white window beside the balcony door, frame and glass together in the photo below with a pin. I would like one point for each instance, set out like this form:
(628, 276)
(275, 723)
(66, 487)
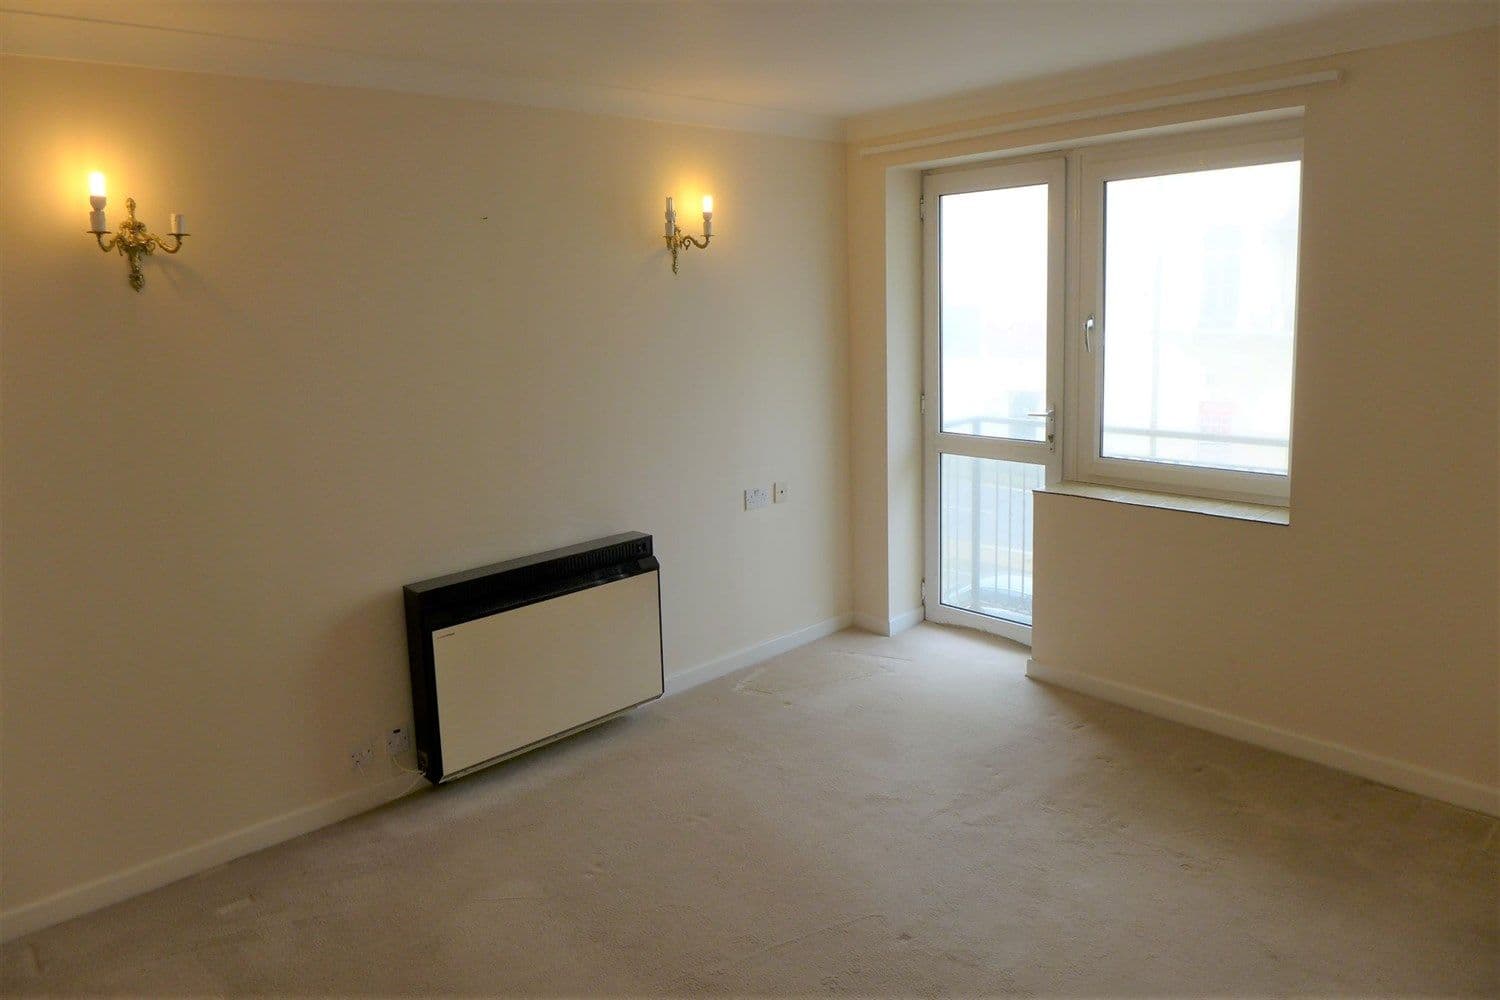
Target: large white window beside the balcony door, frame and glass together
(1189, 260)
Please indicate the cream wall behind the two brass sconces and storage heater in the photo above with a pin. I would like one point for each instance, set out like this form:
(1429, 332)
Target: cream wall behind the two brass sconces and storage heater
(410, 335)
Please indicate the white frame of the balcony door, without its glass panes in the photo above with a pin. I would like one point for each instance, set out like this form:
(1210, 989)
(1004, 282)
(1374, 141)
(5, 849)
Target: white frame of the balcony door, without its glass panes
(1052, 172)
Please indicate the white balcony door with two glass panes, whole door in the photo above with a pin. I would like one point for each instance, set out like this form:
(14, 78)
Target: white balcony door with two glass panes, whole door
(994, 385)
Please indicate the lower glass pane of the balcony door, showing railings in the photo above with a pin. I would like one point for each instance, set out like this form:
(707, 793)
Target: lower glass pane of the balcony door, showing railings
(988, 536)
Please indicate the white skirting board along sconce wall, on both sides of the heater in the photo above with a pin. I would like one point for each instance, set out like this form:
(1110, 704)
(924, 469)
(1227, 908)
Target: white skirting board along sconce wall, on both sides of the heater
(160, 872)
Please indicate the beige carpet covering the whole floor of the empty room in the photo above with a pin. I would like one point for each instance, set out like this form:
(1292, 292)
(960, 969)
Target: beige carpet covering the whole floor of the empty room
(865, 816)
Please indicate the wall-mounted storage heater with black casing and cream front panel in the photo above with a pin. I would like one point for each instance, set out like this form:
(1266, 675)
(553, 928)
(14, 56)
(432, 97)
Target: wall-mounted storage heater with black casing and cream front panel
(509, 657)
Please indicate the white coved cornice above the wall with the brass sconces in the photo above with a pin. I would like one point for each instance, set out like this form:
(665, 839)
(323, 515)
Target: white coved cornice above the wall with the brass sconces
(82, 40)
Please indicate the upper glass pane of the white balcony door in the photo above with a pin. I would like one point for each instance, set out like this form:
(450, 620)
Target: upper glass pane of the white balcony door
(994, 296)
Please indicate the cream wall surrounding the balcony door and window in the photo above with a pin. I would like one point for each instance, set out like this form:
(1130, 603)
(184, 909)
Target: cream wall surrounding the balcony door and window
(1367, 627)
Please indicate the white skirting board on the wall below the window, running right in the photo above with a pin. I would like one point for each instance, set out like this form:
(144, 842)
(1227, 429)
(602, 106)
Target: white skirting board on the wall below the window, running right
(1382, 770)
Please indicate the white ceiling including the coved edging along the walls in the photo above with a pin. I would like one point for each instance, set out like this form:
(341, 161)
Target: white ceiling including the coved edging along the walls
(817, 59)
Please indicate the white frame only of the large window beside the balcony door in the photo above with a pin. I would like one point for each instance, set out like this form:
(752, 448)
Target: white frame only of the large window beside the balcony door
(1093, 169)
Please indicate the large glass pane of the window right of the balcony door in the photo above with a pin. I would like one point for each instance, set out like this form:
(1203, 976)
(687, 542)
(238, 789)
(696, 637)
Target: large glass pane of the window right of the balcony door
(1199, 307)
